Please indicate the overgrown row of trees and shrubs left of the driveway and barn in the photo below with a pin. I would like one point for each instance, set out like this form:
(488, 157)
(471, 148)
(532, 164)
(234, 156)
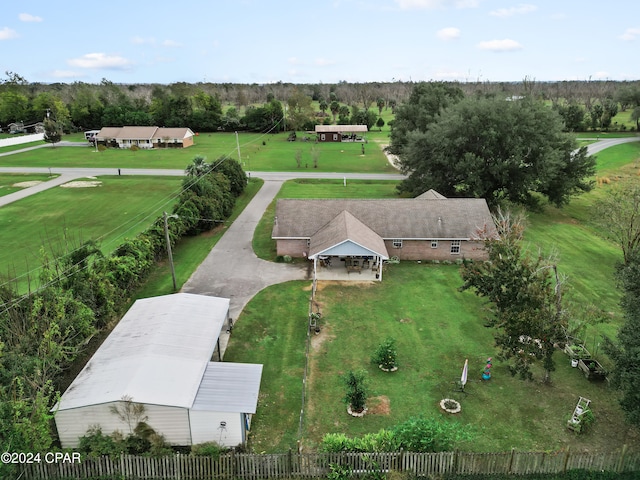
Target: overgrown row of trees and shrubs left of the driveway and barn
(79, 294)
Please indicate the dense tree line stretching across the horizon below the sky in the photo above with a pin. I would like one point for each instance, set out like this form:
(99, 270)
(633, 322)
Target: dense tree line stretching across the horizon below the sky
(281, 106)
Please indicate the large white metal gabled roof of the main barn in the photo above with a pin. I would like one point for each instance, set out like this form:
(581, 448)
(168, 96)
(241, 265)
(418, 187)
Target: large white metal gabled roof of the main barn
(156, 354)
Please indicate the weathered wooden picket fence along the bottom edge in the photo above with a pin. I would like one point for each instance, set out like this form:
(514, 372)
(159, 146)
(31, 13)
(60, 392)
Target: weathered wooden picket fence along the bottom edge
(318, 465)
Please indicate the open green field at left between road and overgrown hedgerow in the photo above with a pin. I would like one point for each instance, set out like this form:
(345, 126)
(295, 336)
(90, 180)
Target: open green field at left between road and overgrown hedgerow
(61, 218)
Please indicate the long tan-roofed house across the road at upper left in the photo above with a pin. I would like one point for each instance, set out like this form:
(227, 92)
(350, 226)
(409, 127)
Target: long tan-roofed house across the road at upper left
(145, 137)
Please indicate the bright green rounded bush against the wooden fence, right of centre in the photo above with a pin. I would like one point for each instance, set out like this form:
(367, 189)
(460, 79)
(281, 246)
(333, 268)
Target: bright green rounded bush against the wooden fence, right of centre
(420, 434)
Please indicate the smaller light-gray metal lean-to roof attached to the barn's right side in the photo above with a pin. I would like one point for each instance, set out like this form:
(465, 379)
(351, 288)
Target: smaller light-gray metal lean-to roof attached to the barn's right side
(229, 387)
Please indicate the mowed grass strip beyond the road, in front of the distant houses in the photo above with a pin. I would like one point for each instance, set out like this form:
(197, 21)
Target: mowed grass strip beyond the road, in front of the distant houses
(258, 153)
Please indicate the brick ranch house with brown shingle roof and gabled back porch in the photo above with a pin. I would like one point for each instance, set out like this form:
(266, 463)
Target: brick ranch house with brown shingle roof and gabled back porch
(363, 233)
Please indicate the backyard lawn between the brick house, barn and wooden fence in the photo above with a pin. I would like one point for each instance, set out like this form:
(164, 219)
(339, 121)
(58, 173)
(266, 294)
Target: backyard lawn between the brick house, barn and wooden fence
(436, 328)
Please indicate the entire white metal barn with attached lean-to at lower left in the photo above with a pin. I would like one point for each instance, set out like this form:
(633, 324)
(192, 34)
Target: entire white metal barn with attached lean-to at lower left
(159, 356)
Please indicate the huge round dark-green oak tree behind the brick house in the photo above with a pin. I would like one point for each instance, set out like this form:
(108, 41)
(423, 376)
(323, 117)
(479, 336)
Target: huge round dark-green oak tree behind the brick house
(496, 149)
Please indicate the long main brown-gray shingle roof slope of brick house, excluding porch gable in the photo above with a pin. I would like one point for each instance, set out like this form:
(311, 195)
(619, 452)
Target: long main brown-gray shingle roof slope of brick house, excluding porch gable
(415, 218)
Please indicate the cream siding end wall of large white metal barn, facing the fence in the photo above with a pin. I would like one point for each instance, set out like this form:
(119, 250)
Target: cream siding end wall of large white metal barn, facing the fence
(172, 422)
